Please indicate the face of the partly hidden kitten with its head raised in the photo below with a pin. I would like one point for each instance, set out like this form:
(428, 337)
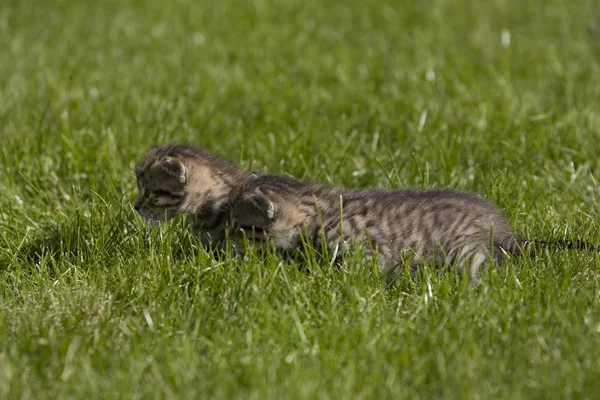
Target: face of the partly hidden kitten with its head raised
(161, 190)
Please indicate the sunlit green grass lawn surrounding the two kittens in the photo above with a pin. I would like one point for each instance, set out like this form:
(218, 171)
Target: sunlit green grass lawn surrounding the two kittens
(354, 93)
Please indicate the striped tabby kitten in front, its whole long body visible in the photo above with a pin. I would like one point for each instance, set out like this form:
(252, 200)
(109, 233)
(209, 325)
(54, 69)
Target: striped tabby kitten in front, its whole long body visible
(415, 226)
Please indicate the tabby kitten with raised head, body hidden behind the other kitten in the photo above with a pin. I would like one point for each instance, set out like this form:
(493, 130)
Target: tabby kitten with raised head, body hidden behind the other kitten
(176, 179)
